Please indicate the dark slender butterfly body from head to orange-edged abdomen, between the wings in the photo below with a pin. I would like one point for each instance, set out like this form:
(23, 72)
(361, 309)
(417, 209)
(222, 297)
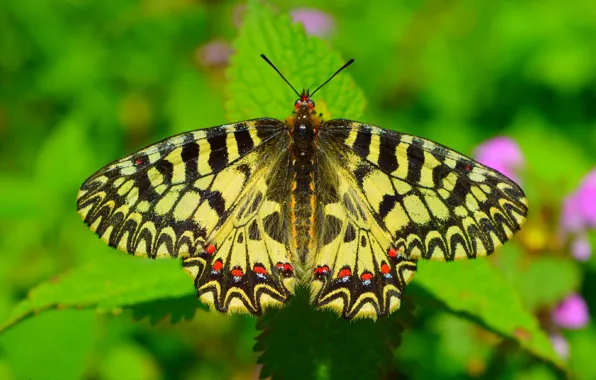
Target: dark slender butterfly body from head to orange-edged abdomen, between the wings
(304, 125)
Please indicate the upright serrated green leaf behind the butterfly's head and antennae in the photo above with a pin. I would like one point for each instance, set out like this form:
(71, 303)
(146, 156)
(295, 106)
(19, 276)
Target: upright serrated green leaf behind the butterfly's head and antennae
(255, 90)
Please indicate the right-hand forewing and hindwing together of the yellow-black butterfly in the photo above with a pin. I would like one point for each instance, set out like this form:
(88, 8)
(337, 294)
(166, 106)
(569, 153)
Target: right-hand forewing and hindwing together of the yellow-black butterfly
(398, 198)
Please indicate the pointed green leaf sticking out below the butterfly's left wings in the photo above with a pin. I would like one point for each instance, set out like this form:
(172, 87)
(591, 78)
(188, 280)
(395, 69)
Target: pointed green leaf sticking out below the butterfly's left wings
(108, 283)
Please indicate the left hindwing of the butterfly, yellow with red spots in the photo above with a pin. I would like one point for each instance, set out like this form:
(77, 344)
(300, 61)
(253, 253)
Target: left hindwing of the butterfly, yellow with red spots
(249, 266)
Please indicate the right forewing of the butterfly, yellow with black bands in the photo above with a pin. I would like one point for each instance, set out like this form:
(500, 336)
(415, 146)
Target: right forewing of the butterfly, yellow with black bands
(432, 201)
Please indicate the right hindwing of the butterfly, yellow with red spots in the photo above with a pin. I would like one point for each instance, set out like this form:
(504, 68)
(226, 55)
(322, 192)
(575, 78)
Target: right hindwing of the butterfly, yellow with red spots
(356, 269)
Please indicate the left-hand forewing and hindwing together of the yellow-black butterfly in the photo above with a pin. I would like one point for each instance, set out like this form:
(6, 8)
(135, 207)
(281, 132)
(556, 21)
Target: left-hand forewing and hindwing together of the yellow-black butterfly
(188, 196)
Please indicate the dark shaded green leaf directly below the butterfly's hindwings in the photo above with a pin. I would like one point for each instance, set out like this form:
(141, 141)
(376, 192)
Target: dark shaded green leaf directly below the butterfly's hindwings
(299, 342)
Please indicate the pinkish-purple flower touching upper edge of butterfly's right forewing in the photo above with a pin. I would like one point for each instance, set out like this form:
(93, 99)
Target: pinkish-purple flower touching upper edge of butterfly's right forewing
(502, 154)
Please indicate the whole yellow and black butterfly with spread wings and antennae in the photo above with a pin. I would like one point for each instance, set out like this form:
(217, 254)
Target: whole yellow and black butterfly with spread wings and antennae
(257, 207)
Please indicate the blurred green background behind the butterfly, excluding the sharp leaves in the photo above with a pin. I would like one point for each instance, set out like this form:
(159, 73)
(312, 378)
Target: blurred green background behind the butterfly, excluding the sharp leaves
(85, 82)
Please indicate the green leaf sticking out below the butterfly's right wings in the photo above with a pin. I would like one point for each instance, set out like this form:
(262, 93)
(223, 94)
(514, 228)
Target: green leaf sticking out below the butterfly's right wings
(477, 290)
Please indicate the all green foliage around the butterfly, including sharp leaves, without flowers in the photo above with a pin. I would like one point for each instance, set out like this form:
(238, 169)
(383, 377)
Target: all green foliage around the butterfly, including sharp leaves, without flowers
(83, 83)
